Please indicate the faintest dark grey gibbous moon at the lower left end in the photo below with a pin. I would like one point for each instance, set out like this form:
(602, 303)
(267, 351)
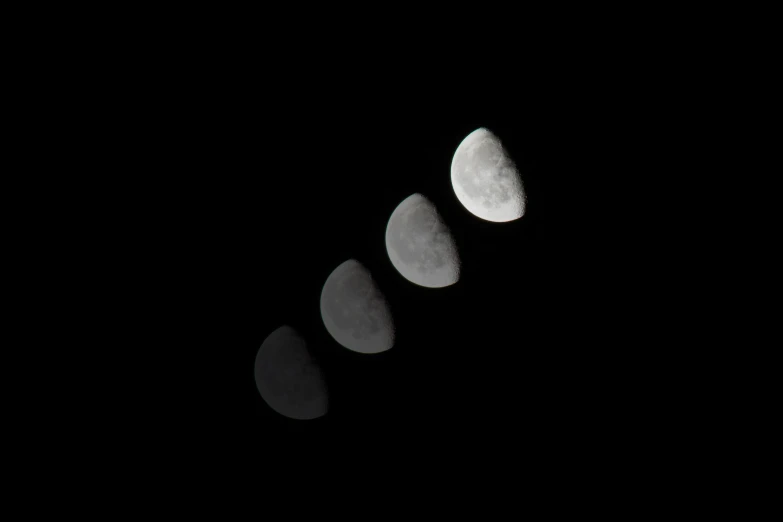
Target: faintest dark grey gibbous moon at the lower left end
(288, 378)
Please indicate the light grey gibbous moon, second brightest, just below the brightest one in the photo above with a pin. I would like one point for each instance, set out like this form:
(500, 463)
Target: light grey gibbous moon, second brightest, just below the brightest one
(420, 244)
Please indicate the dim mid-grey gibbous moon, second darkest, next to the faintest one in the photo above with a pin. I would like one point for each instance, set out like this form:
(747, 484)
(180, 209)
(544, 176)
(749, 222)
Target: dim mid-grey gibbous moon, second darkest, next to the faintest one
(354, 310)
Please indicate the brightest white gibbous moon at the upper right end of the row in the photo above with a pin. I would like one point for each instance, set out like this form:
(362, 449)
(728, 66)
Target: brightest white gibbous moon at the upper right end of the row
(486, 179)
